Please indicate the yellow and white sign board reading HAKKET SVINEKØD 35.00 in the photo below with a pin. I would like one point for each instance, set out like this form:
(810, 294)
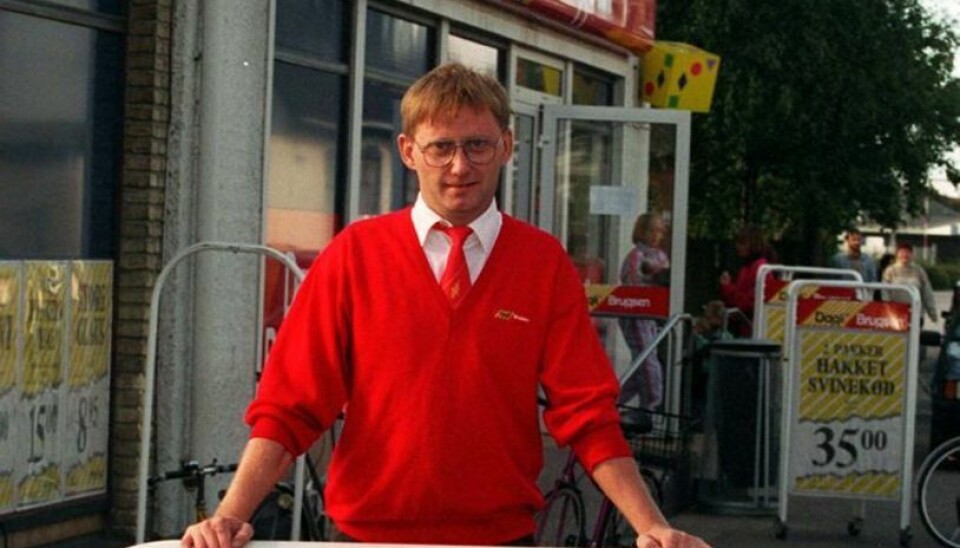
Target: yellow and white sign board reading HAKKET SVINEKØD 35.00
(850, 379)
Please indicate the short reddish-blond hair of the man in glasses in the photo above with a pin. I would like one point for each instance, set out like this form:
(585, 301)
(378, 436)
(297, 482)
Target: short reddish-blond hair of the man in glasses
(448, 88)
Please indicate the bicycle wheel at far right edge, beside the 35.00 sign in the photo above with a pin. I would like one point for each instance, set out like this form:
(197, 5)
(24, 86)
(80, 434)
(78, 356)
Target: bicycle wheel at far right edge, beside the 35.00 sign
(938, 493)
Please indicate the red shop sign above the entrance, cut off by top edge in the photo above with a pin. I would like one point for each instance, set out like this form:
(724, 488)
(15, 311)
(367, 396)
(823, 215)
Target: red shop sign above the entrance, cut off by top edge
(629, 23)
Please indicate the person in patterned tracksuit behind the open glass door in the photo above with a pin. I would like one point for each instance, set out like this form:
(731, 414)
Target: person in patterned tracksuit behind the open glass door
(645, 264)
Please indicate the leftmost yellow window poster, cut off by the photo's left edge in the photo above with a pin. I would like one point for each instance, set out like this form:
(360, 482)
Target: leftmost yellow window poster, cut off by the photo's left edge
(10, 284)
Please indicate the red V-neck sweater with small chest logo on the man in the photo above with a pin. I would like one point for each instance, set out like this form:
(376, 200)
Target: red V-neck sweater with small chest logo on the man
(442, 442)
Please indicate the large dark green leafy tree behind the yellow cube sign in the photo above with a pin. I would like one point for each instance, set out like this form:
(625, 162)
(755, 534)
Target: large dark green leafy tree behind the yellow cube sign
(825, 112)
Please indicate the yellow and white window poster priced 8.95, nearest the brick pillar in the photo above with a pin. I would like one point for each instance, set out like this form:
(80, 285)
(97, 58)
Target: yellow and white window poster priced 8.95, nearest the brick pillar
(86, 402)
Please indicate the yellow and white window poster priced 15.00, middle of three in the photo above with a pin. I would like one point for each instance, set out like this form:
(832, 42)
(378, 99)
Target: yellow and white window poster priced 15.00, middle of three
(37, 423)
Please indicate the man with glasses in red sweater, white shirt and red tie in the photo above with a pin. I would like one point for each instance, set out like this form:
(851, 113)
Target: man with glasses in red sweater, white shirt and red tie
(436, 383)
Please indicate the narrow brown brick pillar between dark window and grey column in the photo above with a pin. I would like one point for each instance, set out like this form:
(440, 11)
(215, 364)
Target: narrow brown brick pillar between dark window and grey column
(146, 125)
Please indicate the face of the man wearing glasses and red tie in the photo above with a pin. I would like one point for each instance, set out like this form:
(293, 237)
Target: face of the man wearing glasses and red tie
(461, 190)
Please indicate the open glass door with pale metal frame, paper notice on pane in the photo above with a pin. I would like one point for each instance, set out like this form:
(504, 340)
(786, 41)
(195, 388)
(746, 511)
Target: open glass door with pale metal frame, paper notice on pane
(613, 181)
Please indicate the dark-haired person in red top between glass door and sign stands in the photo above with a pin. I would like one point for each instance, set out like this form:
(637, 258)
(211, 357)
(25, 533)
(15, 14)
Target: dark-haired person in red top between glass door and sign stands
(753, 252)
